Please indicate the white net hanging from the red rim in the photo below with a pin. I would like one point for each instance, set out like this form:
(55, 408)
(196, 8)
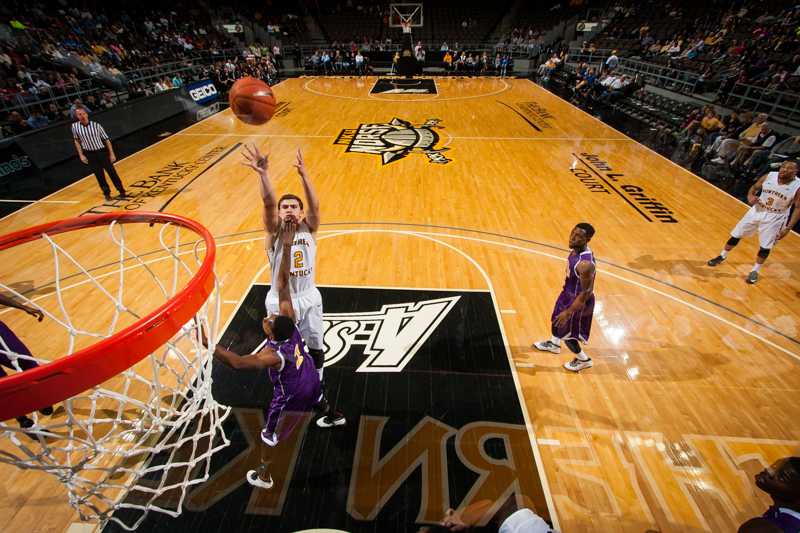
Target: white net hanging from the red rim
(137, 442)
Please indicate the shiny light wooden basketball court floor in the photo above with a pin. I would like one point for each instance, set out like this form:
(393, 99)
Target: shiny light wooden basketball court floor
(476, 188)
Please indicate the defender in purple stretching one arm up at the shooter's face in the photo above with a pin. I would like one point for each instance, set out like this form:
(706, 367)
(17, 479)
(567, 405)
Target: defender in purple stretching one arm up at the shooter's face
(295, 381)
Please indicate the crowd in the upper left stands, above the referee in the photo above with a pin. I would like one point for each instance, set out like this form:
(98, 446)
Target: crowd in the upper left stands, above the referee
(51, 53)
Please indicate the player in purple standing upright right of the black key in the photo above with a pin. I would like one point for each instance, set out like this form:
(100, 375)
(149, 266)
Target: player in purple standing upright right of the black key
(572, 314)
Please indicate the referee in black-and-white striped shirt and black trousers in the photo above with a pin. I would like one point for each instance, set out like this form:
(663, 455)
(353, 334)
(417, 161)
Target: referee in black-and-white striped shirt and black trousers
(94, 148)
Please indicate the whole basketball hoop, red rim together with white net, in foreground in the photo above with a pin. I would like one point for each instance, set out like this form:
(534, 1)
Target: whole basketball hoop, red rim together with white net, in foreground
(135, 423)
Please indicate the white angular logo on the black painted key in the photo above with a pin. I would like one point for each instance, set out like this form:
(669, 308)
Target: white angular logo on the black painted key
(389, 337)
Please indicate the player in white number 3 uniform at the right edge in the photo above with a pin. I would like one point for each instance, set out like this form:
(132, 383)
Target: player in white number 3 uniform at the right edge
(769, 214)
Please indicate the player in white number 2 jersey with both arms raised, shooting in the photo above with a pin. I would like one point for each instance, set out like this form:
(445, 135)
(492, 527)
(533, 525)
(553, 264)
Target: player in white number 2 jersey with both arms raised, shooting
(306, 298)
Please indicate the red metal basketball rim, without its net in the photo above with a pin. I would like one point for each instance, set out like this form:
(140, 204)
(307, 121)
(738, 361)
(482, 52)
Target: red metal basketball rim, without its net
(51, 383)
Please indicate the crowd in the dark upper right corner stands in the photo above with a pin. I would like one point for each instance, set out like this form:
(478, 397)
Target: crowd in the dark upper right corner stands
(747, 43)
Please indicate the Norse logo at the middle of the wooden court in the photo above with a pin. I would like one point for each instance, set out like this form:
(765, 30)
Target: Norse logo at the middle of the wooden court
(394, 140)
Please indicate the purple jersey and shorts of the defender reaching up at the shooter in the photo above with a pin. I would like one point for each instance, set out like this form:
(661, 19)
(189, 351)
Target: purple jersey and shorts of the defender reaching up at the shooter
(295, 383)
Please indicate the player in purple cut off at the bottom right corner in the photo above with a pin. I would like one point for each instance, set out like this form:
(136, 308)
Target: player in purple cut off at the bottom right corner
(782, 482)
